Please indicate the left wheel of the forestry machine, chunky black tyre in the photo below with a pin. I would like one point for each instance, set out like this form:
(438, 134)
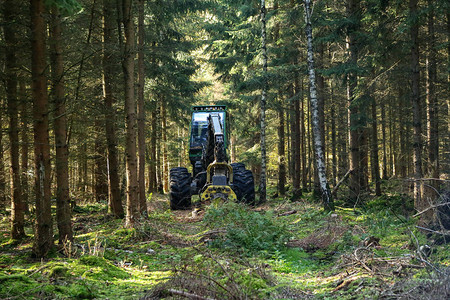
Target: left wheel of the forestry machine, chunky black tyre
(180, 188)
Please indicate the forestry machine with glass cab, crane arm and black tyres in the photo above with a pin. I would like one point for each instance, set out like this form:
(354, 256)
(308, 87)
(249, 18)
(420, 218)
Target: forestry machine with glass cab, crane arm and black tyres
(213, 178)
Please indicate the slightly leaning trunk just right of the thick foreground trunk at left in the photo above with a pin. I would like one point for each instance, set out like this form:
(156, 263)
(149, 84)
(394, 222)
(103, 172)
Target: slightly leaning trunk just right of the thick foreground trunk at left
(63, 210)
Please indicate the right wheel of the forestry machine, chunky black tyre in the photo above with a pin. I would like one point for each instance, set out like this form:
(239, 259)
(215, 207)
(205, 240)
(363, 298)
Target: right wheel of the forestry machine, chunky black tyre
(244, 185)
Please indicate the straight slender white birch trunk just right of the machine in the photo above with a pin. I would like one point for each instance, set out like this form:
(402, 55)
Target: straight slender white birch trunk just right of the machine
(262, 178)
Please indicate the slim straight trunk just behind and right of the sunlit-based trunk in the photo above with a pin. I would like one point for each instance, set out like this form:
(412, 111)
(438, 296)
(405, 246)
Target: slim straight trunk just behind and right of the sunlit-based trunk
(141, 111)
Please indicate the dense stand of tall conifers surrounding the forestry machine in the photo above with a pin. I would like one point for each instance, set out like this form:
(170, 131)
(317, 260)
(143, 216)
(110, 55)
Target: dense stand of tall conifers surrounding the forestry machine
(96, 94)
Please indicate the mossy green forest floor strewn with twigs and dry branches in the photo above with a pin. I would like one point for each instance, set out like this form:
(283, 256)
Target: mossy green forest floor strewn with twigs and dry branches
(279, 250)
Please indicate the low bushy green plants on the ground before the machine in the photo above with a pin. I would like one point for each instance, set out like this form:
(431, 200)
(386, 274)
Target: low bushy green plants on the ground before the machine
(246, 230)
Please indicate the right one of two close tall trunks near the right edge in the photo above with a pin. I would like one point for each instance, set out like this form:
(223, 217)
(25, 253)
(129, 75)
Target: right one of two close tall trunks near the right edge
(432, 103)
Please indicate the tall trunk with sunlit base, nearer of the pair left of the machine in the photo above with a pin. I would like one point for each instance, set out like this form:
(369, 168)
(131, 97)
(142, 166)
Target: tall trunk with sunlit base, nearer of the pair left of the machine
(130, 111)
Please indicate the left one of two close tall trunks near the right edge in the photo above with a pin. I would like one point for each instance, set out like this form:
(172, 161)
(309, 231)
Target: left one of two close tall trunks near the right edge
(417, 111)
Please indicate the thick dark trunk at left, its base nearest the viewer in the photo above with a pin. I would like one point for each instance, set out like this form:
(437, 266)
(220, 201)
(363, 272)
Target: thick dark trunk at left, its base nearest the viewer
(43, 240)
